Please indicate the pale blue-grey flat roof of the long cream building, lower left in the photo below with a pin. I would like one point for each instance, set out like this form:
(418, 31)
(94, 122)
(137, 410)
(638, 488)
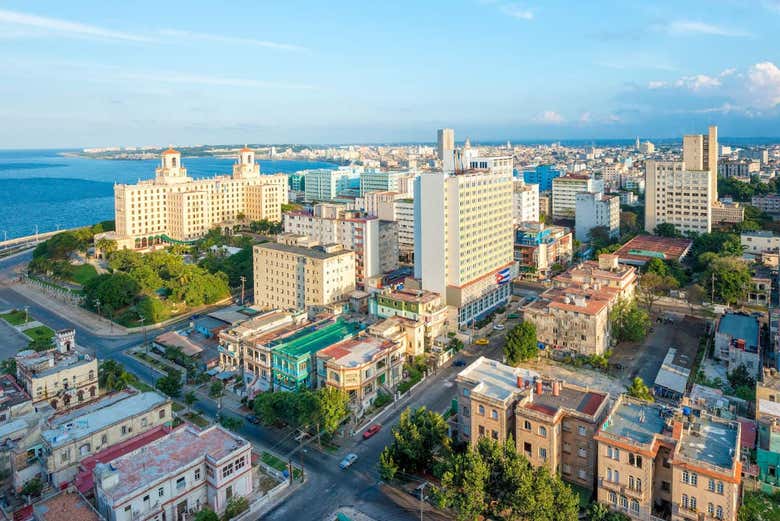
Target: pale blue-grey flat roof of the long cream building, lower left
(67, 429)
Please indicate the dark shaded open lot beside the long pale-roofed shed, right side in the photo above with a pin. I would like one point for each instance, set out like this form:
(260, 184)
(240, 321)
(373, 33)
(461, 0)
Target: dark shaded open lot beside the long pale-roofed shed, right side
(644, 359)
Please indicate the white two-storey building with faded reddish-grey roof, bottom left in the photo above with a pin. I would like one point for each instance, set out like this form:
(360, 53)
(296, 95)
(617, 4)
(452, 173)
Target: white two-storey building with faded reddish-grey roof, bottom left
(174, 477)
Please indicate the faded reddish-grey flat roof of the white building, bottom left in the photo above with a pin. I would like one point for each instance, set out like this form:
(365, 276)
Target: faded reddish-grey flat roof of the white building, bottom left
(179, 449)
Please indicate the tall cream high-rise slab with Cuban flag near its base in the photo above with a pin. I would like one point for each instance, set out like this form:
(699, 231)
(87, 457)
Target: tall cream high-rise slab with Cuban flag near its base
(463, 238)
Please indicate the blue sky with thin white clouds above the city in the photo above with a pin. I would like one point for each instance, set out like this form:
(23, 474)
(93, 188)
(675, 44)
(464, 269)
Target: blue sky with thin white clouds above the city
(95, 73)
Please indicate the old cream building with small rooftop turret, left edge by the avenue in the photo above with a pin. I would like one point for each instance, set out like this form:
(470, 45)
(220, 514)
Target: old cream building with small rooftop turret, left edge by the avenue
(62, 376)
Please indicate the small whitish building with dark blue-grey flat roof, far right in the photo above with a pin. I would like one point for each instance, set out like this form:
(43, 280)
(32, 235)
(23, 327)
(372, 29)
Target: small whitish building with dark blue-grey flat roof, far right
(737, 342)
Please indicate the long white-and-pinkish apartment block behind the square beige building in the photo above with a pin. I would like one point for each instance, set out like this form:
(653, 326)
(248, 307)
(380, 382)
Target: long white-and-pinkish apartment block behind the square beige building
(354, 230)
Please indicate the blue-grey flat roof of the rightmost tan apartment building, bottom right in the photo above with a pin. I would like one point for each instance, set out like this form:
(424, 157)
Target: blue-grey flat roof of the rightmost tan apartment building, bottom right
(711, 441)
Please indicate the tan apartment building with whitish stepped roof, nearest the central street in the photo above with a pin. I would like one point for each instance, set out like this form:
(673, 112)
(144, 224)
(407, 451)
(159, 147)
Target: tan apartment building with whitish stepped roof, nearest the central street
(487, 394)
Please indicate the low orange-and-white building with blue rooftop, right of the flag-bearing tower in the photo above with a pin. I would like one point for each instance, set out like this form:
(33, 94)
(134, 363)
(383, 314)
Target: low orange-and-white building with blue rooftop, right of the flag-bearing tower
(539, 247)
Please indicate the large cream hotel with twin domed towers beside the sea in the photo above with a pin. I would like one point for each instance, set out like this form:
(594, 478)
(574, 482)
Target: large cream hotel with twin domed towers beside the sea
(176, 207)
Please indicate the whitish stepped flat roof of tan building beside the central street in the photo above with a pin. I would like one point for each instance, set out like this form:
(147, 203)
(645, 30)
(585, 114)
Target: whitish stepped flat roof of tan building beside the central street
(496, 380)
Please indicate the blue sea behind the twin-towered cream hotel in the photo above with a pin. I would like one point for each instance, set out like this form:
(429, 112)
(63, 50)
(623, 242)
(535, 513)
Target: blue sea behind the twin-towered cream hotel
(45, 189)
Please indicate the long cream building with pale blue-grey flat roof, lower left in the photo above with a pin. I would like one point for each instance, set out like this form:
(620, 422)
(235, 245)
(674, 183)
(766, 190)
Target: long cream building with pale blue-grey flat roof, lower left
(76, 435)
